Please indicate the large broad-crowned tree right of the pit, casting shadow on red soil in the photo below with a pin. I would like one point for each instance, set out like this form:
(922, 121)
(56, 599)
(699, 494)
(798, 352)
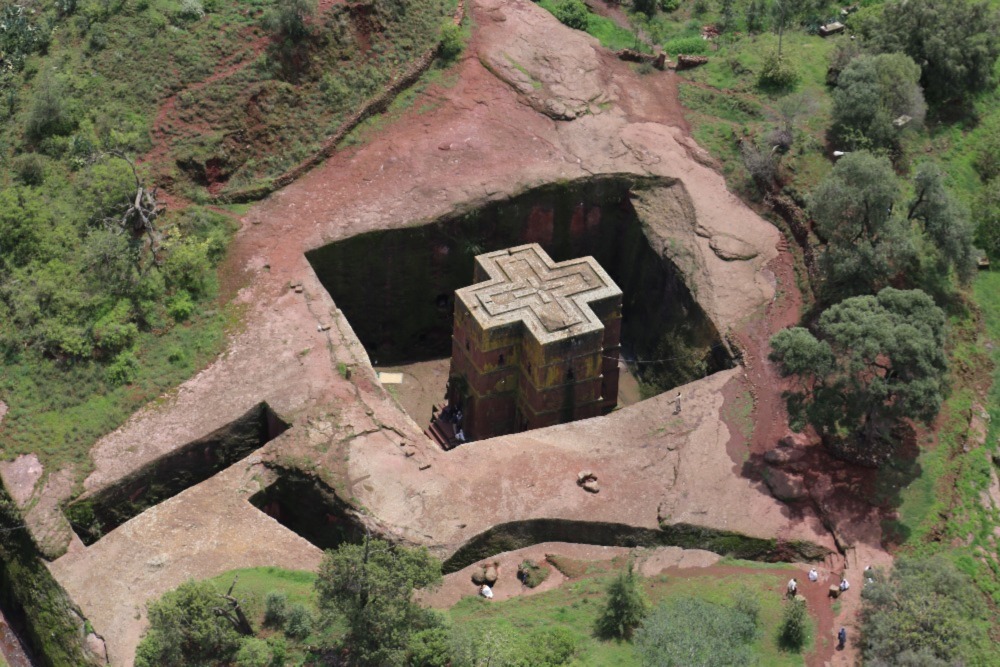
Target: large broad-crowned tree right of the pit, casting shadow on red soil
(874, 361)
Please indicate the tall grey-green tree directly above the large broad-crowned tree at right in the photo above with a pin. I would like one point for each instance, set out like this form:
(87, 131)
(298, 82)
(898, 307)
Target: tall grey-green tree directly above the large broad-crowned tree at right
(852, 210)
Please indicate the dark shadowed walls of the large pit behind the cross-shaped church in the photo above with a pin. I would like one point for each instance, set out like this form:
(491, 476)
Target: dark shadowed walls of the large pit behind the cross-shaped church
(396, 287)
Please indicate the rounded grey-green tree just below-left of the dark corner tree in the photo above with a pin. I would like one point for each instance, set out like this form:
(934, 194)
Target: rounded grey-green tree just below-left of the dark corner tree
(872, 92)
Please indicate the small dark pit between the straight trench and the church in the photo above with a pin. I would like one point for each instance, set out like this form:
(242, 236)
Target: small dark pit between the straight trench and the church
(310, 509)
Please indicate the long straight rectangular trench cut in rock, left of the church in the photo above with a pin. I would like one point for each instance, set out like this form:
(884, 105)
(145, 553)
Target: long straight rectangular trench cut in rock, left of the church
(95, 515)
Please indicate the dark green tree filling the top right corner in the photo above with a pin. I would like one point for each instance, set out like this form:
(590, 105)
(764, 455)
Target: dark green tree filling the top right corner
(955, 42)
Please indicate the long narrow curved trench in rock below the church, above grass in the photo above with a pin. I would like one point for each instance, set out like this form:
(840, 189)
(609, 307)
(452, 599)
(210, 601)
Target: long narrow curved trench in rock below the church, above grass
(520, 534)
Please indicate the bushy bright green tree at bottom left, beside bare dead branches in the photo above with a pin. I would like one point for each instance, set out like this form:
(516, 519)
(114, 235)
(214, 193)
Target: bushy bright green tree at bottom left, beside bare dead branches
(185, 630)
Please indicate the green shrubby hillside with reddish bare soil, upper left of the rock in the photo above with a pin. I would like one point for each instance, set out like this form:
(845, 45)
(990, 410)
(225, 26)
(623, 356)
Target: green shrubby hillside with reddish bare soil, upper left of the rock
(105, 305)
